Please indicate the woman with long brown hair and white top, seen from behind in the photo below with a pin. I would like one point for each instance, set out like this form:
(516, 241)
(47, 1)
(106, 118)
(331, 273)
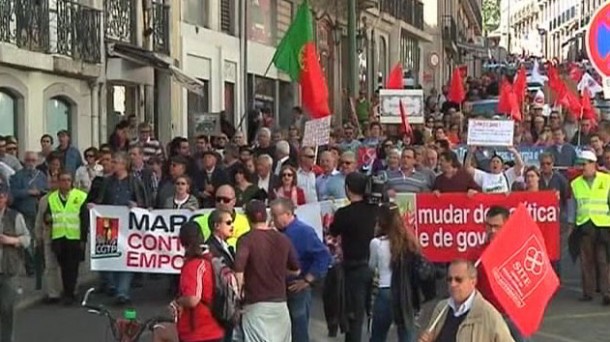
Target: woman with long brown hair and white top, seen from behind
(393, 254)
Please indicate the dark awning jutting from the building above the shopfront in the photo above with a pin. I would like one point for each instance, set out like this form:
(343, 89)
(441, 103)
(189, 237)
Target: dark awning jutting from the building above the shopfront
(141, 56)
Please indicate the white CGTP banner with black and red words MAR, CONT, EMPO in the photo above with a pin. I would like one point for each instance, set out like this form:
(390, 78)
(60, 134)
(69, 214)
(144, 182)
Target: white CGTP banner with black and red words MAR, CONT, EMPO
(140, 240)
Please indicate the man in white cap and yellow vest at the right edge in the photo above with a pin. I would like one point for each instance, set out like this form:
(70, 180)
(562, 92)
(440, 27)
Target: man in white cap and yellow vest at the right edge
(591, 218)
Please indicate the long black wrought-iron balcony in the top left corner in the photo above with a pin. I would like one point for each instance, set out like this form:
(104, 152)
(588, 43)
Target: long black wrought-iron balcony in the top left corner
(59, 27)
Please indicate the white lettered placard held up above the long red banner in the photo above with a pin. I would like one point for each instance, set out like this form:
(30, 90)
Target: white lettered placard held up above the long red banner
(490, 132)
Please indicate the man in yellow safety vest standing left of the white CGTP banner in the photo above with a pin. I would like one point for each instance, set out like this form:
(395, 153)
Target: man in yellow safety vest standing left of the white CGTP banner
(68, 239)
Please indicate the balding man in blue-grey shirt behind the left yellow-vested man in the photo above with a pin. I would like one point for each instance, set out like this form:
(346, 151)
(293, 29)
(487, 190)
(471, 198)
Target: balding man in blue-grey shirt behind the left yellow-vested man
(28, 185)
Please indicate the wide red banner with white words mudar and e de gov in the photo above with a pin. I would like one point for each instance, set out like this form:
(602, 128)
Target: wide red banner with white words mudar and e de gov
(452, 226)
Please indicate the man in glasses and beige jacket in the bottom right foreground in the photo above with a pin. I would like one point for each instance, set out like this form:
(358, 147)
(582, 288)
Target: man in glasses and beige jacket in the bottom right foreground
(466, 315)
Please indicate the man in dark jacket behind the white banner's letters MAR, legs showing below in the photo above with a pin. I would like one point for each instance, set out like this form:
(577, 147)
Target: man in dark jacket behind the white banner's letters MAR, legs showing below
(121, 188)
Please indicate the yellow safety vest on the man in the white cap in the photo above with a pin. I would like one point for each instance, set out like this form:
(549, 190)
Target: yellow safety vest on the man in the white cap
(592, 201)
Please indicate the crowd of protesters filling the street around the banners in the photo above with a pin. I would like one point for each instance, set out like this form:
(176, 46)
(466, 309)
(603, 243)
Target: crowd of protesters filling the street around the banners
(277, 265)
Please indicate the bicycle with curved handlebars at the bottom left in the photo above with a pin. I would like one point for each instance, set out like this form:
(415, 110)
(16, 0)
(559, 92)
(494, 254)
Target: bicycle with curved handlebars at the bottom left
(129, 328)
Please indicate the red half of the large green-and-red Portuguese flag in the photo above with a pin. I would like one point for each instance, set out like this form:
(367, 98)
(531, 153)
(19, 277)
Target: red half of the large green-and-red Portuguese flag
(314, 91)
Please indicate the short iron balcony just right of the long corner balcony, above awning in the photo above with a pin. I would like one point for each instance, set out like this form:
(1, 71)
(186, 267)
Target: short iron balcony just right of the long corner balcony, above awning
(120, 24)
